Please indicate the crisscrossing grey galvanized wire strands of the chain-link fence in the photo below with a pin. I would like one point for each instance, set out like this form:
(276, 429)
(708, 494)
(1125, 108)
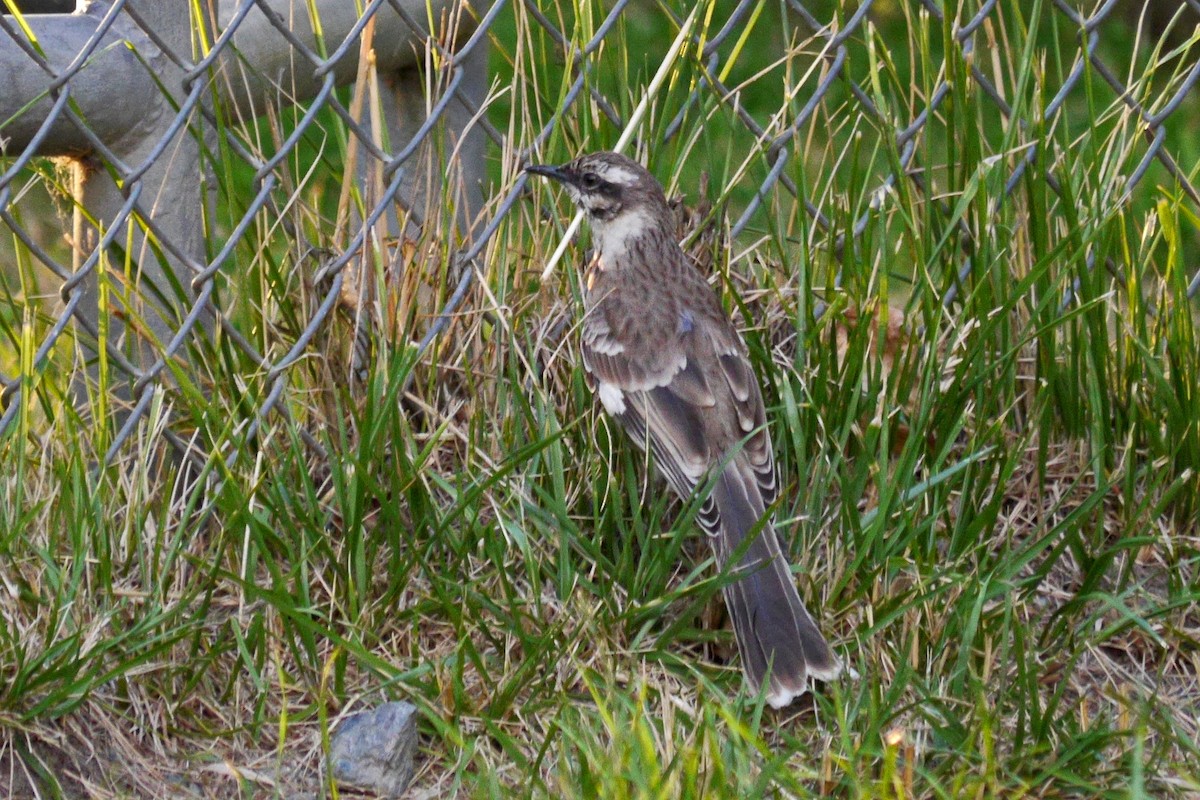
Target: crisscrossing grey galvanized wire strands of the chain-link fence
(202, 312)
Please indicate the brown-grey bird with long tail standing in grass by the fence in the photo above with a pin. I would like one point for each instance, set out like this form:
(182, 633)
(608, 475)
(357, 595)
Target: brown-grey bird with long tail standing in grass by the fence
(668, 364)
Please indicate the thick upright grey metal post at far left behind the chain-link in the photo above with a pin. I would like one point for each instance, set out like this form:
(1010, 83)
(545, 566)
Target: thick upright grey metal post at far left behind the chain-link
(151, 209)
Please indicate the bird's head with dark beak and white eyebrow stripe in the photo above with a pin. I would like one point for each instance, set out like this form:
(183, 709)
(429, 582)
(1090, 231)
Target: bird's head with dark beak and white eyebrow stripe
(621, 199)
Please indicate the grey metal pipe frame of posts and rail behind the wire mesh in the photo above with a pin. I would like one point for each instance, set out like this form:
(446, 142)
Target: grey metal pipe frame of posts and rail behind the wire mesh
(113, 87)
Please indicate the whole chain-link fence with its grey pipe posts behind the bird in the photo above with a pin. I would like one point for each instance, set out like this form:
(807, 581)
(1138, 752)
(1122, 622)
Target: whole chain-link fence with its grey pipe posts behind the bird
(190, 142)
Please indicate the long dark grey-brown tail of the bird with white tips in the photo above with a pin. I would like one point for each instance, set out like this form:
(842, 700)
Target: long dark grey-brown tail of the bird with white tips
(776, 634)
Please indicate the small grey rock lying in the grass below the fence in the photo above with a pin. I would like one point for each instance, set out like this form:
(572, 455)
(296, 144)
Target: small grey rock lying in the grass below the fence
(374, 750)
